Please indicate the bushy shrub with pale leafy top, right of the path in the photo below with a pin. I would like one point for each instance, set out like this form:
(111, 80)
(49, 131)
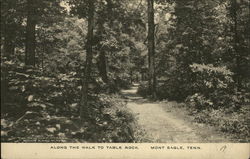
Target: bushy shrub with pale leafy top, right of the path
(214, 87)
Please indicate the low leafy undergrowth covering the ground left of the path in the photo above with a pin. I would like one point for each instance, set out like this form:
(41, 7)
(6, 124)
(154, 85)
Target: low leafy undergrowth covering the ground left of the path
(39, 107)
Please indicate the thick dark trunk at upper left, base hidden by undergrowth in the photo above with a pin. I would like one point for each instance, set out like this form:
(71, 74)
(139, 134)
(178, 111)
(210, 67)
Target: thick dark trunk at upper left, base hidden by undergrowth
(30, 34)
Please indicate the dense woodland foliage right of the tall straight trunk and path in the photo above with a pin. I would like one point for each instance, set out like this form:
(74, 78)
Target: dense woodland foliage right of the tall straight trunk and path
(202, 52)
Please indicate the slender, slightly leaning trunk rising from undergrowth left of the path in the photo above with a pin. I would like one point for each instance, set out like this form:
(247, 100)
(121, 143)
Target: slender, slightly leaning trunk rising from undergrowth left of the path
(84, 107)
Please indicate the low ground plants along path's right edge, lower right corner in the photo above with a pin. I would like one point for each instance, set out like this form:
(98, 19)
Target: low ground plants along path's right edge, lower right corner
(236, 123)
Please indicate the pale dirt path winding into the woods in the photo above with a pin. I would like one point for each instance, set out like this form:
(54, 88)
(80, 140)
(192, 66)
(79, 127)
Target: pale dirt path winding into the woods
(164, 122)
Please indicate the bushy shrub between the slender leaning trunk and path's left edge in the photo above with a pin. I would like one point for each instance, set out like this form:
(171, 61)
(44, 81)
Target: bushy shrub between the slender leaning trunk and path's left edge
(113, 122)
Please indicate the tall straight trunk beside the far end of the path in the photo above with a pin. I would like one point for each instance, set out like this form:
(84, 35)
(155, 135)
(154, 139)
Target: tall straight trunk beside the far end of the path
(151, 48)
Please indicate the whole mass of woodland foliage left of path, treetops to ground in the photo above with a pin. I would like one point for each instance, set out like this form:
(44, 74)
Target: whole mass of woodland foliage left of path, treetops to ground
(41, 95)
